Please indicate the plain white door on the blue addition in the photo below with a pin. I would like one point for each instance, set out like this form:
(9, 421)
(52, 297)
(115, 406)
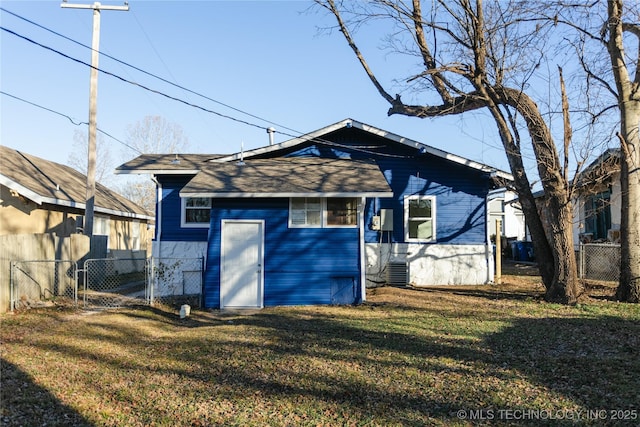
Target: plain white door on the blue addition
(241, 264)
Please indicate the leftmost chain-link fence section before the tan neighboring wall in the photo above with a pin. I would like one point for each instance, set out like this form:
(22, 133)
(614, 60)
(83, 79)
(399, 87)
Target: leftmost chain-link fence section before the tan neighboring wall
(38, 283)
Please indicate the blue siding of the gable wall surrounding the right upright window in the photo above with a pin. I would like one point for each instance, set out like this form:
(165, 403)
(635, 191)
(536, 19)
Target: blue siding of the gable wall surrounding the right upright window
(460, 191)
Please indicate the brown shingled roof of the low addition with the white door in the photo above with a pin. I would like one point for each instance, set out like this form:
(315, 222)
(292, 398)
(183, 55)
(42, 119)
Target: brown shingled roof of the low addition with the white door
(289, 177)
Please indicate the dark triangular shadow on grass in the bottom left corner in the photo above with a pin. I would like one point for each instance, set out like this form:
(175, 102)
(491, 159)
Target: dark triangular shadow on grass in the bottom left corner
(22, 402)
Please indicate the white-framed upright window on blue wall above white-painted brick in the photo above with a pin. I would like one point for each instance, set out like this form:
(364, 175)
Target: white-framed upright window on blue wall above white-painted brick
(420, 218)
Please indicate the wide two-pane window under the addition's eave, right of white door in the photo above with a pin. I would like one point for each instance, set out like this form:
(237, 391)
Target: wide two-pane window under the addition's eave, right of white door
(319, 212)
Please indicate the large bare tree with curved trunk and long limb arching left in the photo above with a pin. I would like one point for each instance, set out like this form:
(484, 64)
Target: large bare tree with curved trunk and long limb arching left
(553, 243)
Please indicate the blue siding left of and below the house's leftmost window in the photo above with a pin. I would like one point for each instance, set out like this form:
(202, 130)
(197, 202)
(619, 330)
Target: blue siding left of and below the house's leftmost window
(171, 211)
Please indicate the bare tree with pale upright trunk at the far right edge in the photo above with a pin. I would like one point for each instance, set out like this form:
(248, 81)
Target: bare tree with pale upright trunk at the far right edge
(608, 49)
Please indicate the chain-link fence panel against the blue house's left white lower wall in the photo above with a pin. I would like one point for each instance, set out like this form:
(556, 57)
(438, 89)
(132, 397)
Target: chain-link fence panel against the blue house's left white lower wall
(175, 281)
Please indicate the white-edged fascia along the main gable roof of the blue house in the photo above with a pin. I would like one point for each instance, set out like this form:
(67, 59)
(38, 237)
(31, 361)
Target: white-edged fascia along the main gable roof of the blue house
(350, 123)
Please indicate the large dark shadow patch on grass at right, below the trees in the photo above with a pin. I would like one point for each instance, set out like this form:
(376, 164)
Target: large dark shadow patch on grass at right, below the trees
(591, 360)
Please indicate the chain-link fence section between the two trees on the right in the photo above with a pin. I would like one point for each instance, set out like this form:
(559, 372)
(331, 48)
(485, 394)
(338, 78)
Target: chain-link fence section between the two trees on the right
(599, 261)
